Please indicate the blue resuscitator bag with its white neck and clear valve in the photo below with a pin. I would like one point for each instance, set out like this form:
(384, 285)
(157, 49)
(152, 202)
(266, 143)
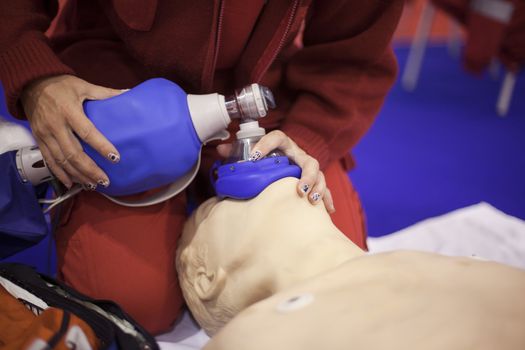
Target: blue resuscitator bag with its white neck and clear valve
(159, 131)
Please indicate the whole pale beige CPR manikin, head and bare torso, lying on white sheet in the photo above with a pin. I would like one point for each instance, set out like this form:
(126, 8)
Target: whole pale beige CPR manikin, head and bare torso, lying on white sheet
(273, 272)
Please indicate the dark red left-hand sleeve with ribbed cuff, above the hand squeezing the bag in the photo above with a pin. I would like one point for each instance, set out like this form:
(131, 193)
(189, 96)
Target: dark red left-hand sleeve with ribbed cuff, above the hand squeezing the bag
(25, 52)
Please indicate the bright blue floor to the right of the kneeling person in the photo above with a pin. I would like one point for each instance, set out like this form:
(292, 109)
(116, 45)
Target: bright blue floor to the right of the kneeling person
(441, 147)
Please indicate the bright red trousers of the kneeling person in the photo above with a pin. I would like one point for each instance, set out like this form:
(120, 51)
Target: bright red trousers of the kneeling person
(127, 255)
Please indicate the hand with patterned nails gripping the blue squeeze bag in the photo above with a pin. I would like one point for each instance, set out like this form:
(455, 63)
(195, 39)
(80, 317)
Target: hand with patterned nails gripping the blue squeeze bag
(54, 109)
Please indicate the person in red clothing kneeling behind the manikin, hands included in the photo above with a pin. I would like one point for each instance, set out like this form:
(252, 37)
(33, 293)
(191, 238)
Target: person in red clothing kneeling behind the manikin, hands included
(328, 63)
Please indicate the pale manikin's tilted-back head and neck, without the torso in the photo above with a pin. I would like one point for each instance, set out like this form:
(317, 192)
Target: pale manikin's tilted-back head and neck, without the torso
(234, 253)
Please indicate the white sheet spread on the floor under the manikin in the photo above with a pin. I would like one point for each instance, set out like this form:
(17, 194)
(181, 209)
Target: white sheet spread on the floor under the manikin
(479, 230)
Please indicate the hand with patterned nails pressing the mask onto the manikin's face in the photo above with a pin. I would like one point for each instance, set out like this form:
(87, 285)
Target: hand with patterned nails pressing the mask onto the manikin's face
(312, 182)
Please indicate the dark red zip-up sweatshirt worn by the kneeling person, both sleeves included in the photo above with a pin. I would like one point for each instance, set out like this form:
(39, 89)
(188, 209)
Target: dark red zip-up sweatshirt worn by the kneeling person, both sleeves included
(328, 62)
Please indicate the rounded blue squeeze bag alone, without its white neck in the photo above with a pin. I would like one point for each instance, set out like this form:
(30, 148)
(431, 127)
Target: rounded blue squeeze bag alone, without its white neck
(151, 127)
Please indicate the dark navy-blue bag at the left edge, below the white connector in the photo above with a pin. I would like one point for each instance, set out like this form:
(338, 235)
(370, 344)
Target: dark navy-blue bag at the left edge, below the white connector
(22, 223)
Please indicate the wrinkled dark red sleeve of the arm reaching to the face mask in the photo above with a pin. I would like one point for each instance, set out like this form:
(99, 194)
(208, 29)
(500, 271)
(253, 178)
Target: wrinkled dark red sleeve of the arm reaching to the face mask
(341, 75)
